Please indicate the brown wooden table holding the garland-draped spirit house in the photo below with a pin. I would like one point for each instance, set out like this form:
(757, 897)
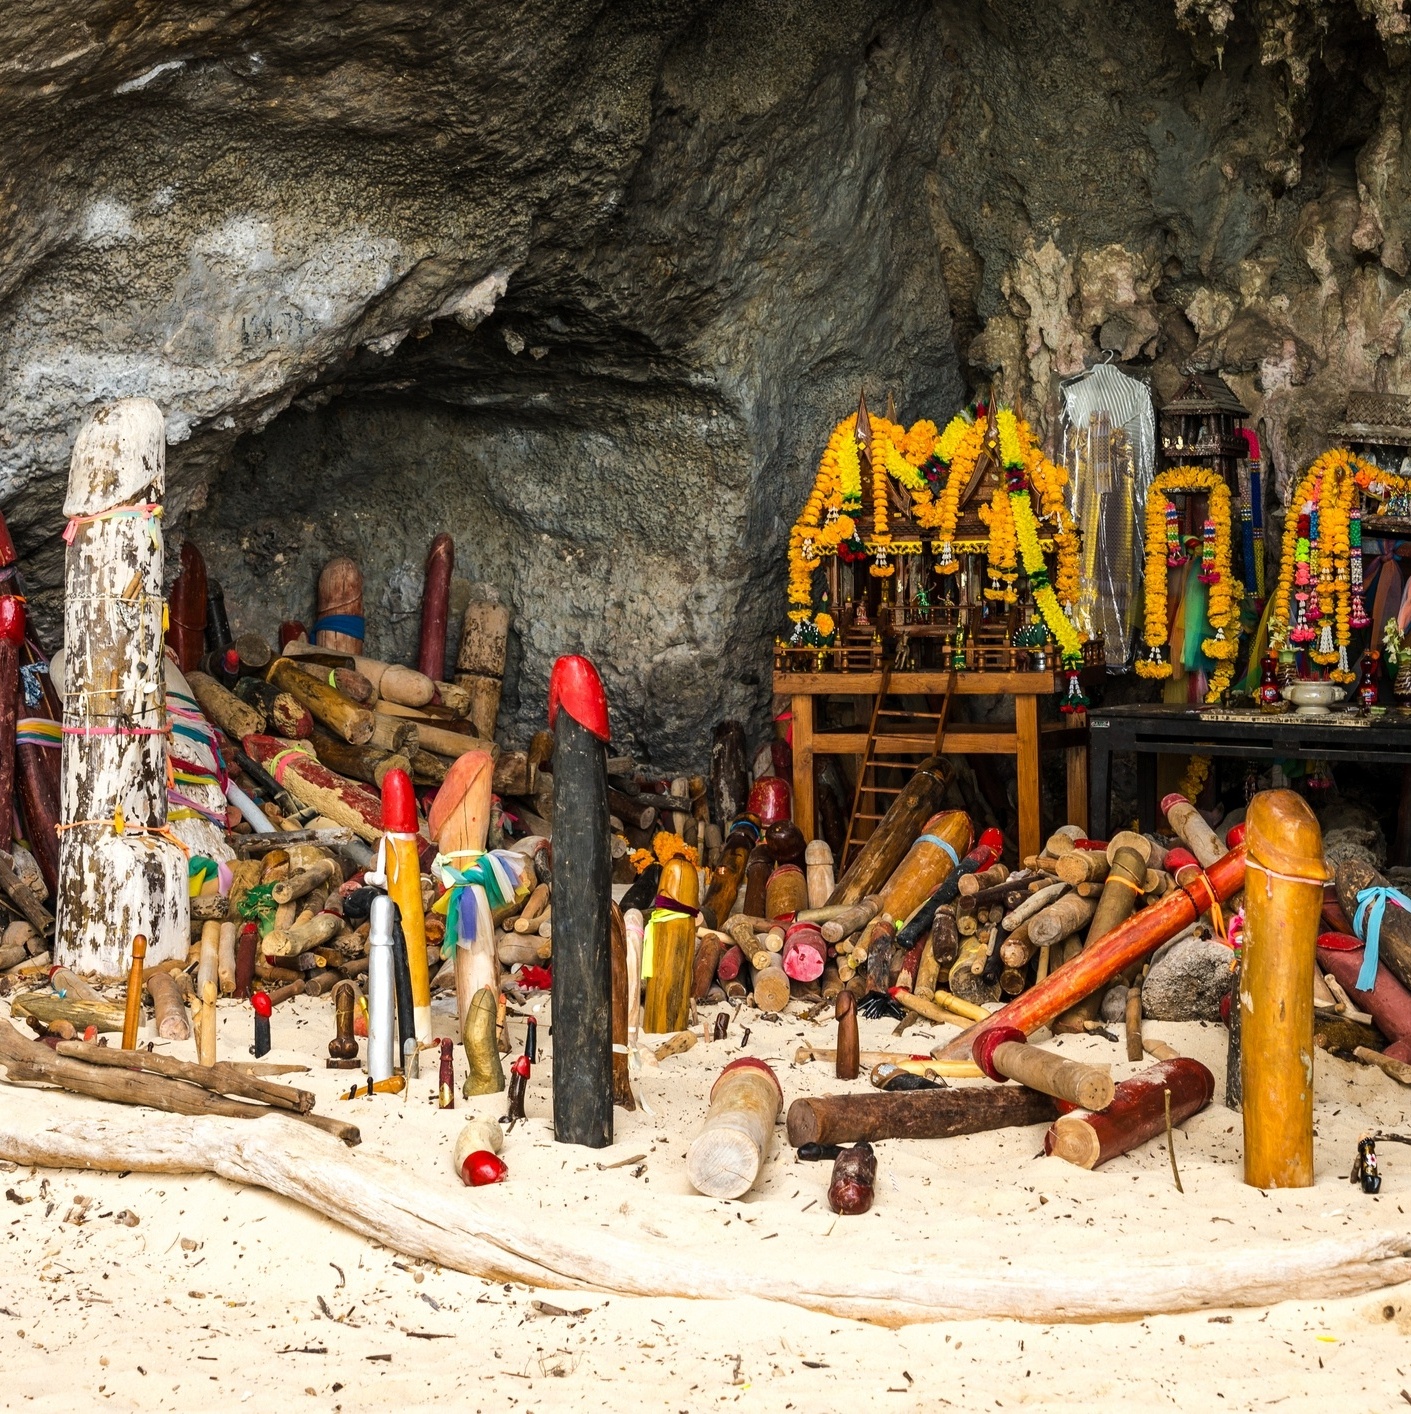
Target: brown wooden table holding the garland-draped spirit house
(1026, 740)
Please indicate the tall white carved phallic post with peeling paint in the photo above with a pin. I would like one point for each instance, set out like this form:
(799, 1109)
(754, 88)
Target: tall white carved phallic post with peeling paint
(115, 886)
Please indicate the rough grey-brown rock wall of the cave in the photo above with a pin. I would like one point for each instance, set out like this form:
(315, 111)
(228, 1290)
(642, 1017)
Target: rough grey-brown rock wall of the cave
(589, 286)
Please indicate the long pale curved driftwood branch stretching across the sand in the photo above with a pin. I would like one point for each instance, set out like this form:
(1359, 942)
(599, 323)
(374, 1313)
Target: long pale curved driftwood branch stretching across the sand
(486, 1234)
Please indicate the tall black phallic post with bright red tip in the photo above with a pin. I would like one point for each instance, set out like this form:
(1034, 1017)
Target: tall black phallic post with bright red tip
(583, 907)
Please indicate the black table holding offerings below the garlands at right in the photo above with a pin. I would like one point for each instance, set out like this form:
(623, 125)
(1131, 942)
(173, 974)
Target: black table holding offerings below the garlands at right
(1173, 728)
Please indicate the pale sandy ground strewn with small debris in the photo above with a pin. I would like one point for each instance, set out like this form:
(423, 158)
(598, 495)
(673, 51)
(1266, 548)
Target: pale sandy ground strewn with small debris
(228, 1297)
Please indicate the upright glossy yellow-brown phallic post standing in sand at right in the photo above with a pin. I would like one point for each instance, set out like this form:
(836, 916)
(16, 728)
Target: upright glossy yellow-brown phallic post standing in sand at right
(1283, 904)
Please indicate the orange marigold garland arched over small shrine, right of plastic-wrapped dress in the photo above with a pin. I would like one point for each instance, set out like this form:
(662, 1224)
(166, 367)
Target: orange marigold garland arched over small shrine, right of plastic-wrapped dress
(1225, 592)
